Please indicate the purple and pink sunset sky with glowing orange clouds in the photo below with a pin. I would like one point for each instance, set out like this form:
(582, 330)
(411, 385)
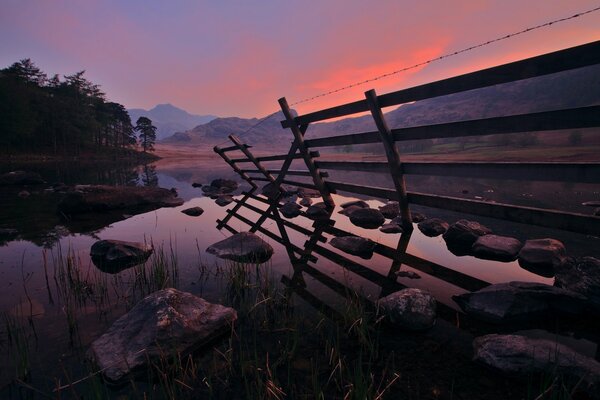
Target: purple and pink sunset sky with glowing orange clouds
(236, 58)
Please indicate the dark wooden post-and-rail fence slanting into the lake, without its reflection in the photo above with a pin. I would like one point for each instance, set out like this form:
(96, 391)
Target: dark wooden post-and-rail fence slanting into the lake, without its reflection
(574, 118)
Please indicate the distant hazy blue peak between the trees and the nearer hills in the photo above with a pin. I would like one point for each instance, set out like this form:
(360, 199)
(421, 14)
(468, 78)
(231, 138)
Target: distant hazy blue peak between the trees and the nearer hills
(169, 119)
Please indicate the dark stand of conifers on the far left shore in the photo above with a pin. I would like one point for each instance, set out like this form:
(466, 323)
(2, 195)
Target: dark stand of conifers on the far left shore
(63, 117)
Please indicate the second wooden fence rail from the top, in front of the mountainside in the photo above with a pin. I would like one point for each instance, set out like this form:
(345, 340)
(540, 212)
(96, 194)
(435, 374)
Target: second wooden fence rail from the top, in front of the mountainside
(574, 118)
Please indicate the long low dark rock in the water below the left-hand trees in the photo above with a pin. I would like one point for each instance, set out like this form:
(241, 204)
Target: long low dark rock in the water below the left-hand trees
(94, 198)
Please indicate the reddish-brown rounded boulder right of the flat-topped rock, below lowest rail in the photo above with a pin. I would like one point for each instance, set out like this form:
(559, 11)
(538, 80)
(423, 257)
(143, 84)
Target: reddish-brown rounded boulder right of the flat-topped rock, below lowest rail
(543, 253)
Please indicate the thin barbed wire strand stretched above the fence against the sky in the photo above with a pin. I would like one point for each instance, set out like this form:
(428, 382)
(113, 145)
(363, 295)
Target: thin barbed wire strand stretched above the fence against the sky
(422, 63)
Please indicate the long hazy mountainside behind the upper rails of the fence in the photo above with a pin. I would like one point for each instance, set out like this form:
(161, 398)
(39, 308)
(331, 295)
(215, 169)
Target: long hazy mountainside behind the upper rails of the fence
(575, 88)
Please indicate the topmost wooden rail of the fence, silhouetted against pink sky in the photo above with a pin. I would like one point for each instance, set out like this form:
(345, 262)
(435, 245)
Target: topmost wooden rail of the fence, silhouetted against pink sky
(562, 60)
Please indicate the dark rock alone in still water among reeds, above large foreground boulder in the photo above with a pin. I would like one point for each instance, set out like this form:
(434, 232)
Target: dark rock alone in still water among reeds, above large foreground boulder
(113, 256)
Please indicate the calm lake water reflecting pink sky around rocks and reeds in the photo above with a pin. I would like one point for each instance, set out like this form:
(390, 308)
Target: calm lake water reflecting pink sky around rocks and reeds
(30, 261)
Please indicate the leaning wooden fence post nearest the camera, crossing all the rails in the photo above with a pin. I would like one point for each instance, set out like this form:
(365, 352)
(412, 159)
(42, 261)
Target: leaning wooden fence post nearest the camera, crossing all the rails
(393, 157)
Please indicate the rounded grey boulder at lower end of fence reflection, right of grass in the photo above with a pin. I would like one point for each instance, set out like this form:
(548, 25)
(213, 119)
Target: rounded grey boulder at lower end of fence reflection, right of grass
(411, 309)
